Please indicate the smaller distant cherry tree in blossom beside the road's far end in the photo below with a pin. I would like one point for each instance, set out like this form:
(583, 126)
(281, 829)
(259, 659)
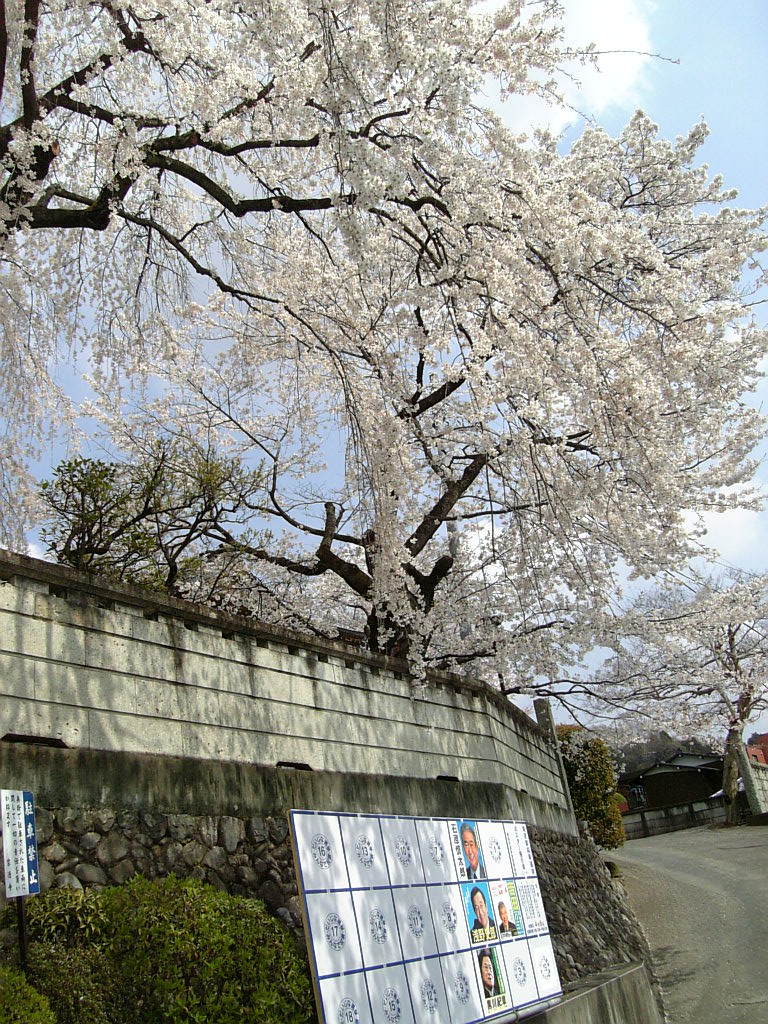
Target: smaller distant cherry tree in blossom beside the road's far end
(695, 654)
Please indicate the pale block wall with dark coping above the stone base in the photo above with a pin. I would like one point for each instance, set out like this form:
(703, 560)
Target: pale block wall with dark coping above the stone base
(100, 668)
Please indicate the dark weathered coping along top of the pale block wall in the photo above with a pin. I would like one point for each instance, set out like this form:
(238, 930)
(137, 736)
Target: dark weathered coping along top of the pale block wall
(98, 590)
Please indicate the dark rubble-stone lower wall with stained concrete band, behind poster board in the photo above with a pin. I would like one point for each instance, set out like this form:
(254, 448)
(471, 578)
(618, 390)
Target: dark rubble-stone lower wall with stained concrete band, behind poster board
(104, 817)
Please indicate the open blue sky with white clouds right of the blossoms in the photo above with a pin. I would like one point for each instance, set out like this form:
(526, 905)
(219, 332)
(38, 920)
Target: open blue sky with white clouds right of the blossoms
(681, 61)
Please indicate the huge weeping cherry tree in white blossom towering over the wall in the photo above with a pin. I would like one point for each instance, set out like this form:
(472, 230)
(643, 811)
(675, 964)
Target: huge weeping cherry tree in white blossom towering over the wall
(476, 375)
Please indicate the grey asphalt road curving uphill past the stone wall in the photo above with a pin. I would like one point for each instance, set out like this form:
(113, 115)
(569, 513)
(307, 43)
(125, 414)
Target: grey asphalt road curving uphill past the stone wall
(702, 897)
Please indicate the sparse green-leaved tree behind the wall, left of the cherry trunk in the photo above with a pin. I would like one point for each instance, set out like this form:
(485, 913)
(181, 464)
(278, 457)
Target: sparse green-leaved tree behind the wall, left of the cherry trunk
(168, 523)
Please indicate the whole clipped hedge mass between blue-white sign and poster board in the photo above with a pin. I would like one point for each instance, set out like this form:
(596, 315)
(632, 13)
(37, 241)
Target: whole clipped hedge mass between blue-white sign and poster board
(165, 953)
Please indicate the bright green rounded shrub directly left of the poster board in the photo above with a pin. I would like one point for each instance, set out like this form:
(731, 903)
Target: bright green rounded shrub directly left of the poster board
(188, 953)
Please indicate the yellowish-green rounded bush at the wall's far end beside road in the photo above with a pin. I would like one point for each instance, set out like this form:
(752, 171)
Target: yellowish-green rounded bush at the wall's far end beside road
(592, 782)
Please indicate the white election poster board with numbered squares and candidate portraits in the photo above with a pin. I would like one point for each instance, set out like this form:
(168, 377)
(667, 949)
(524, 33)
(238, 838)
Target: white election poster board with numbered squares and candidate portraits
(412, 921)
